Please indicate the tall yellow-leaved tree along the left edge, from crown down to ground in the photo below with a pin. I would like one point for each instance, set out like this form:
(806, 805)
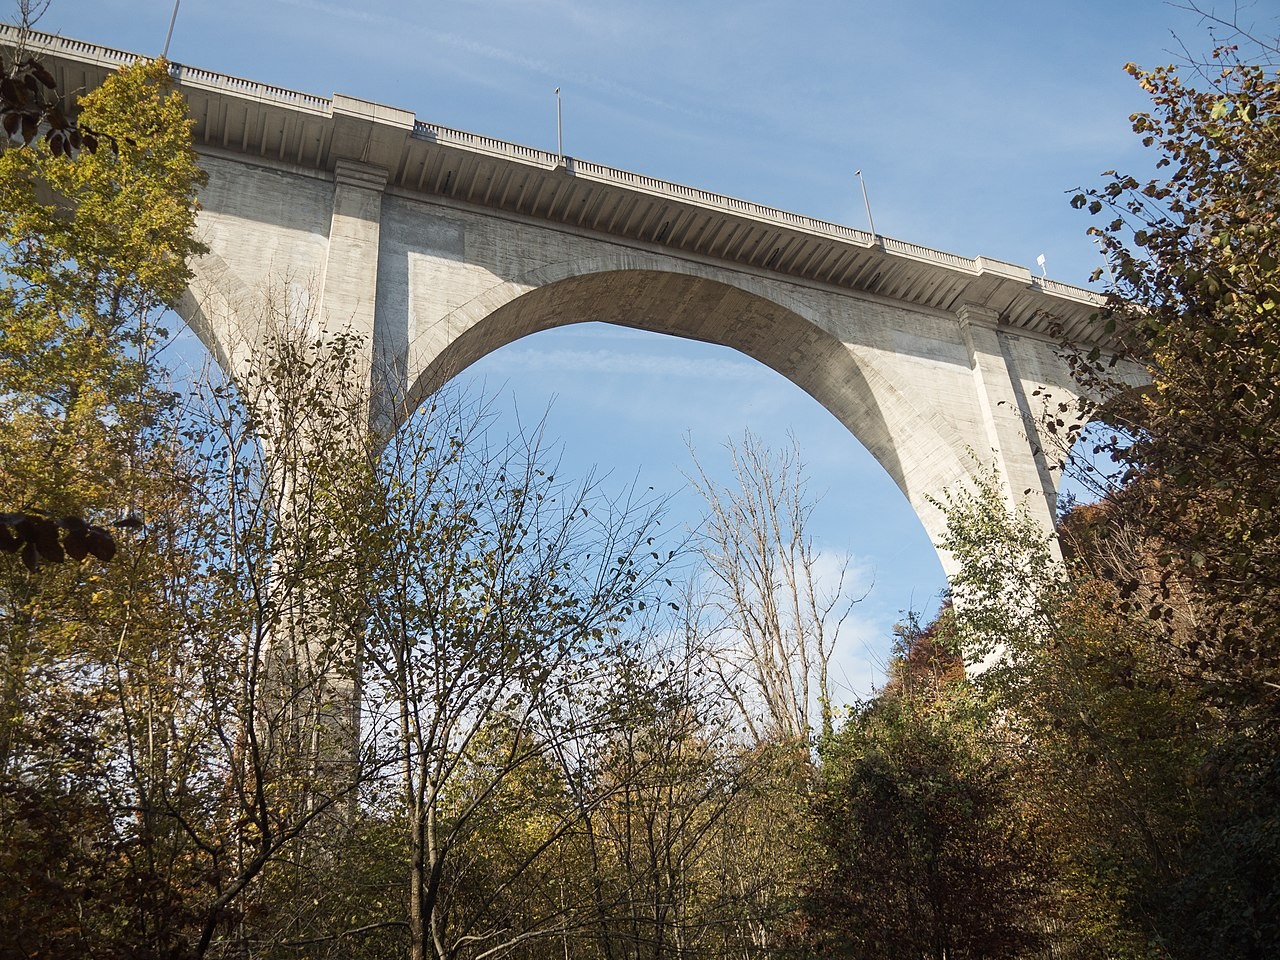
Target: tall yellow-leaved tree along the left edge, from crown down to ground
(93, 248)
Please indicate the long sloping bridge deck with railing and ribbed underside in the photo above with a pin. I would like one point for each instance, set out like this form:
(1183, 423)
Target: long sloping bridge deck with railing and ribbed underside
(280, 126)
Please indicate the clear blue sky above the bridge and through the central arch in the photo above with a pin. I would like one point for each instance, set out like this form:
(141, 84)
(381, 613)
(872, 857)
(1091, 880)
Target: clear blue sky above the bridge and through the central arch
(971, 124)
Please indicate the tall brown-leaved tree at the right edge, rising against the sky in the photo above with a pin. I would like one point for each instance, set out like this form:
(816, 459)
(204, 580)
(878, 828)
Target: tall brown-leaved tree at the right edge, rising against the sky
(1196, 301)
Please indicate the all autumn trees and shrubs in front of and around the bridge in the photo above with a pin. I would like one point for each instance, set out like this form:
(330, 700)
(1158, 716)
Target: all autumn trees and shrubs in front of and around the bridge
(333, 694)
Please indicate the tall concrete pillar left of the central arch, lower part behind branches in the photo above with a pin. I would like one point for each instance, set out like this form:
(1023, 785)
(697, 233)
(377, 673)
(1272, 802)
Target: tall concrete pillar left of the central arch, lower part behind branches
(317, 656)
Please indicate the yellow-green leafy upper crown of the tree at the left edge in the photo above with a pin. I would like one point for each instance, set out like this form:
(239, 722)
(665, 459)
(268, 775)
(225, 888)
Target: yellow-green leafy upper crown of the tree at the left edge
(93, 249)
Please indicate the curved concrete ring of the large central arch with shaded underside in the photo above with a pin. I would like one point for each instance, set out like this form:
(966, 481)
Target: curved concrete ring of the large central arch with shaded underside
(920, 452)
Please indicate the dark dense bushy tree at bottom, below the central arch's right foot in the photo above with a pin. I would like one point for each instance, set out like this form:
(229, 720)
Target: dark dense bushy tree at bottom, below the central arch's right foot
(927, 847)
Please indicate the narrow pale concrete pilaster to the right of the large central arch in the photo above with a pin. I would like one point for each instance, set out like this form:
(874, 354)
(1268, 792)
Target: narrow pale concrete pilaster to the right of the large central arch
(1020, 461)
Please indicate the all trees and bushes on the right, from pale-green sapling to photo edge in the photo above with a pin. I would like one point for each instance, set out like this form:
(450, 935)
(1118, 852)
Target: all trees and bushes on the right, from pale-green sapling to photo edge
(1145, 683)
